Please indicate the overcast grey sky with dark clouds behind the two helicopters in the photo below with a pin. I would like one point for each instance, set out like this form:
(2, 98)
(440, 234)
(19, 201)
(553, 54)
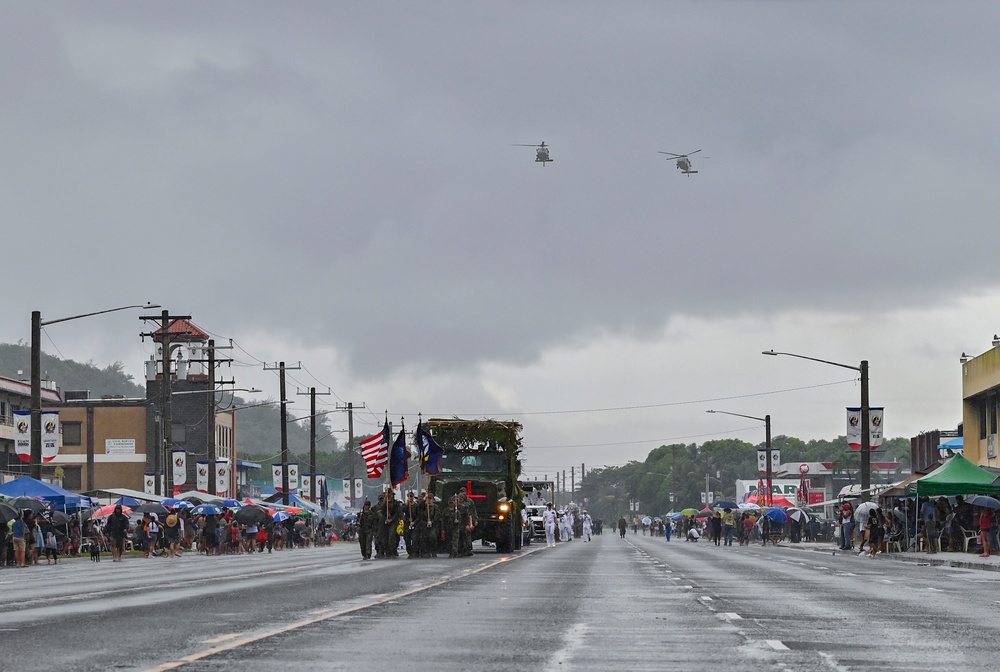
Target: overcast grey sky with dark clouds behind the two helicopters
(333, 183)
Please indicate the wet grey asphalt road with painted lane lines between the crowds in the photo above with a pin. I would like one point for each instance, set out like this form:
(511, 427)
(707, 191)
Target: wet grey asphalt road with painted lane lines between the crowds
(637, 604)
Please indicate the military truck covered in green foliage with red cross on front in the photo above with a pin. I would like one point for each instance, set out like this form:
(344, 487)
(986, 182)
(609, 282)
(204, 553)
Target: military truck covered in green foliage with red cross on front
(482, 456)
